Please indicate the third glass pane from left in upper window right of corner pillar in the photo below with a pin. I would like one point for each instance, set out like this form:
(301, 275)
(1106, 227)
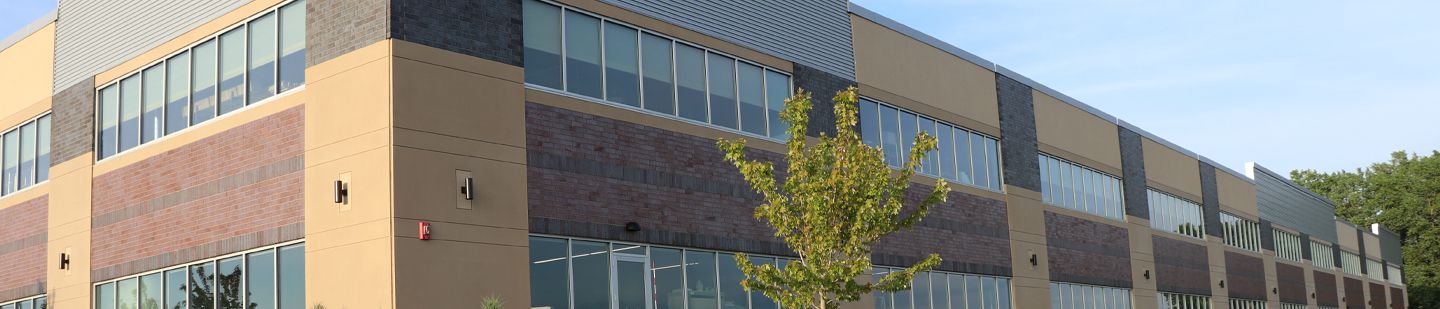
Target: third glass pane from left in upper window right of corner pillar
(621, 65)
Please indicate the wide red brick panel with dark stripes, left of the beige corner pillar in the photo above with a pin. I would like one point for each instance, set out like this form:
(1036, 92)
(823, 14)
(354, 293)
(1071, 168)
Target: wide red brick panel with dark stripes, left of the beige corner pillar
(237, 190)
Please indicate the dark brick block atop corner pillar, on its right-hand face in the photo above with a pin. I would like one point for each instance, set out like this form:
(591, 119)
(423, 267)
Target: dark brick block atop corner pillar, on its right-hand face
(489, 29)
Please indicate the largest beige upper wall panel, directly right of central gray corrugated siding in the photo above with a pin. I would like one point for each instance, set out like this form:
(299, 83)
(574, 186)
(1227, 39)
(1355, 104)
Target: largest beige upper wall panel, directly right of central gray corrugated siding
(909, 68)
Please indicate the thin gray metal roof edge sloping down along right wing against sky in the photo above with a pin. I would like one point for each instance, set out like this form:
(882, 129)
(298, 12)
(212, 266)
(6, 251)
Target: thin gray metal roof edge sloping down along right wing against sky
(993, 67)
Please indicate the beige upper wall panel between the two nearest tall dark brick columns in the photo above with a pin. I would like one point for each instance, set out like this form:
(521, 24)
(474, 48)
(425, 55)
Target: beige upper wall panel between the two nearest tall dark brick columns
(1076, 132)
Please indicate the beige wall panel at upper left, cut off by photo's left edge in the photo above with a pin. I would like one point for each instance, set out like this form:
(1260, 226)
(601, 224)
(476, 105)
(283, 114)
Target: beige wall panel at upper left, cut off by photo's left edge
(27, 71)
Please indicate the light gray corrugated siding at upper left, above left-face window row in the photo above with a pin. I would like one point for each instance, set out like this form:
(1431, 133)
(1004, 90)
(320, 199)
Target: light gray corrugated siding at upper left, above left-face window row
(94, 37)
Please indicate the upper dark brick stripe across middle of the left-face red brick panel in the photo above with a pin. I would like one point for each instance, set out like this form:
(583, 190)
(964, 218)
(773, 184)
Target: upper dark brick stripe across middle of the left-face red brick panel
(238, 180)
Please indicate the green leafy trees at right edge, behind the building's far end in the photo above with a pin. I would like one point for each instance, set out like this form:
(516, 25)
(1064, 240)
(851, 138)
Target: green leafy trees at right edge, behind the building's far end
(1402, 195)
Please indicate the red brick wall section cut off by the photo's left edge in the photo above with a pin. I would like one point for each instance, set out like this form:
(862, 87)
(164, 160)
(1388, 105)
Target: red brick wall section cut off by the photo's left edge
(22, 249)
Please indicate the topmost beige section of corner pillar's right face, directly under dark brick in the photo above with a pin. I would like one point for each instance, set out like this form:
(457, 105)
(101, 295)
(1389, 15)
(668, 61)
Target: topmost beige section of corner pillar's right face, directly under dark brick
(460, 104)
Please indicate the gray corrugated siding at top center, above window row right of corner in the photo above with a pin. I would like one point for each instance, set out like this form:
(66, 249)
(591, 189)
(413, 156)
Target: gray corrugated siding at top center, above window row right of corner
(810, 32)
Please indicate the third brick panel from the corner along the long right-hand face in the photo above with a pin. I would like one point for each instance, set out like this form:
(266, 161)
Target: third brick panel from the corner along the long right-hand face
(1182, 267)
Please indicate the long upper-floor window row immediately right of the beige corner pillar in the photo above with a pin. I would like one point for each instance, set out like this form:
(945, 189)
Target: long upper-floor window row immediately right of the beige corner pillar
(582, 54)
